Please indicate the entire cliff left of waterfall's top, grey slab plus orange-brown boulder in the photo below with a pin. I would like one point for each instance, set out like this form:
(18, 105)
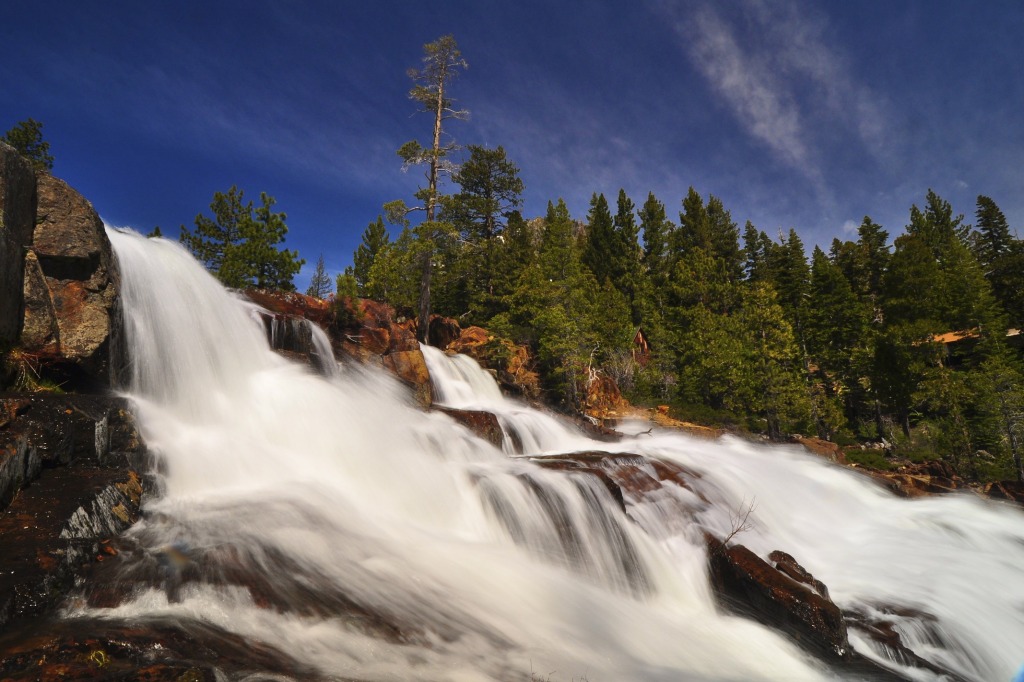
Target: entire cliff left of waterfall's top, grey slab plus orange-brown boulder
(59, 281)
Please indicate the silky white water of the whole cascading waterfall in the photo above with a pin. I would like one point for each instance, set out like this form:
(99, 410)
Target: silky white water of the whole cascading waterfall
(377, 503)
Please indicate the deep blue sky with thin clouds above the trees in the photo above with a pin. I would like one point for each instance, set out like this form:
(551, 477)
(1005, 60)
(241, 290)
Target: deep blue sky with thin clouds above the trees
(797, 114)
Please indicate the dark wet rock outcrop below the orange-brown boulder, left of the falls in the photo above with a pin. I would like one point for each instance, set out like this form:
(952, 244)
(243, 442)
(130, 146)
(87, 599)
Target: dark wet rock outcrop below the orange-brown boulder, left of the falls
(68, 487)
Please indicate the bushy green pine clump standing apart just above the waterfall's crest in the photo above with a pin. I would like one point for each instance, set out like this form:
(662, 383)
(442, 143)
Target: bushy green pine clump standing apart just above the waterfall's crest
(240, 243)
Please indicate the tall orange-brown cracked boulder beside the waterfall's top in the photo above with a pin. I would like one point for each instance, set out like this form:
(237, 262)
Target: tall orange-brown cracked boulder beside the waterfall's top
(70, 288)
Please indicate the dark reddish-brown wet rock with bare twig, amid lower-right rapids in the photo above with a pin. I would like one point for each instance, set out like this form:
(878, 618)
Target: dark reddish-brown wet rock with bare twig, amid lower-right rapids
(748, 584)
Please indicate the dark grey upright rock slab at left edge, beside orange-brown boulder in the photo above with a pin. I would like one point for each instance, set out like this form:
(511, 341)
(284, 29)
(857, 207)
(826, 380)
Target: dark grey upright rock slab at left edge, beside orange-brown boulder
(18, 200)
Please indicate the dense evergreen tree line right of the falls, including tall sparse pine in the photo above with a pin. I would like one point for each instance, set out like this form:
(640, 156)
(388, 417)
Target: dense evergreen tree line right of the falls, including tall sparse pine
(904, 342)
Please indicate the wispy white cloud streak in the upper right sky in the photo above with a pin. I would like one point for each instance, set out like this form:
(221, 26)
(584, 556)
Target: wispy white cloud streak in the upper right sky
(774, 67)
